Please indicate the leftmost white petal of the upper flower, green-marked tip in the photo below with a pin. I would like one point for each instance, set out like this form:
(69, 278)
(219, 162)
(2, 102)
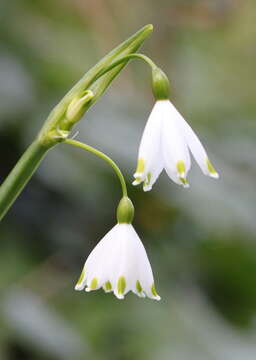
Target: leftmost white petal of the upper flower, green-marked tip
(149, 157)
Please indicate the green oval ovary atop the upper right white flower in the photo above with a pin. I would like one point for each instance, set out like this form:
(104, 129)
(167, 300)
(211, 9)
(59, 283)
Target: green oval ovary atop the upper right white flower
(160, 84)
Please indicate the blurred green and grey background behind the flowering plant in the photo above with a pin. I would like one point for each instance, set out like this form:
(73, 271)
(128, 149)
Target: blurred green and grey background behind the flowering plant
(201, 241)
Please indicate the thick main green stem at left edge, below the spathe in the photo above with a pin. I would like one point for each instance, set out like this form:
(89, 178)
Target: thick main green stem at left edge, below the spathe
(20, 175)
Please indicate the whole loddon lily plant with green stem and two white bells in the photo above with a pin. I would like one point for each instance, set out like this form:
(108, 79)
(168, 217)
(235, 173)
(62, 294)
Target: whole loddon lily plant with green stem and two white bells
(119, 262)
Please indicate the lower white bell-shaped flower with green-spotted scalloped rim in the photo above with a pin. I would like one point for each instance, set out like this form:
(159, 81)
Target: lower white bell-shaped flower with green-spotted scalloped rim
(119, 263)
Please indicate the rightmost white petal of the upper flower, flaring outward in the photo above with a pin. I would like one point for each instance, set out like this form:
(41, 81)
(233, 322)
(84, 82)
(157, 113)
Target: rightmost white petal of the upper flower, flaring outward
(195, 145)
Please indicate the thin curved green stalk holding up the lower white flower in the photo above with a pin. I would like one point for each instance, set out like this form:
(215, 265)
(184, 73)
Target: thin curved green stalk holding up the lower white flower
(102, 156)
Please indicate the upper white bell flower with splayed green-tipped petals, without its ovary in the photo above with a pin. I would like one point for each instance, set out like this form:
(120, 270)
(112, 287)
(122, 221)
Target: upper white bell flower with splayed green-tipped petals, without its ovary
(166, 143)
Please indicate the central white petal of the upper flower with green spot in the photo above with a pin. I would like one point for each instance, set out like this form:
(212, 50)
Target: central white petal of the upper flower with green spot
(174, 147)
